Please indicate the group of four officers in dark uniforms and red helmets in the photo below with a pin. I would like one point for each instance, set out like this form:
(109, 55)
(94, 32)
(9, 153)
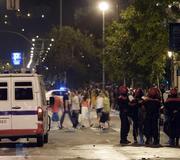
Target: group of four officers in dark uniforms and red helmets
(144, 111)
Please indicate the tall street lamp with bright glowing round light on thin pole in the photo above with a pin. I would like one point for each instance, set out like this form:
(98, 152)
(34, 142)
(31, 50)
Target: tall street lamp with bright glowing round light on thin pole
(103, 6)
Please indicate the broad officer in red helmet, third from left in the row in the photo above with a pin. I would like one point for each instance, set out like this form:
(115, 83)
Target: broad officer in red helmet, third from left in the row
(152, 107)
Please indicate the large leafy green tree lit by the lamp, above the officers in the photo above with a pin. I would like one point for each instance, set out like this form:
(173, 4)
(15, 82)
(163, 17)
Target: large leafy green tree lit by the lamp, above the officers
(137, 43)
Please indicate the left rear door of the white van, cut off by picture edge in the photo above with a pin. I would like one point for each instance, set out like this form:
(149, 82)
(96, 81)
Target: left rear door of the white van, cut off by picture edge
(5, 104)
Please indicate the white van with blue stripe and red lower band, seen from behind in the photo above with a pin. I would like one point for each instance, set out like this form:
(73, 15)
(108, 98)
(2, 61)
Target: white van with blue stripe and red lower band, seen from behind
(23, 108)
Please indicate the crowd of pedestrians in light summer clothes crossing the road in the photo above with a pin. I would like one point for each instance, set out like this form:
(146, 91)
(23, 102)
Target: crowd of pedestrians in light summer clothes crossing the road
(77, 105)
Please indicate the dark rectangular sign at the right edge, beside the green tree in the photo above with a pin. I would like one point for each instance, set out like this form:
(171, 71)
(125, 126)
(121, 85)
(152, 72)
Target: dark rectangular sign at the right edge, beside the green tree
(174, 37)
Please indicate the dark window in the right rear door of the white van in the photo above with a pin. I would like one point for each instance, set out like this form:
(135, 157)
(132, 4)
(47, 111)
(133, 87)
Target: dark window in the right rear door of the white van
(23, 91)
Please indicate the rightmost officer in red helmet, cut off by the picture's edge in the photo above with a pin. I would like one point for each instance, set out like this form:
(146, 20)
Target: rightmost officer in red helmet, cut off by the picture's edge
(171, 125)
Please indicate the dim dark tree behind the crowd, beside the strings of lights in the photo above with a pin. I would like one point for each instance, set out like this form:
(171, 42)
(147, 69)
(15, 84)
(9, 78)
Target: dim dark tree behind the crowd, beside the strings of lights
(73, 55)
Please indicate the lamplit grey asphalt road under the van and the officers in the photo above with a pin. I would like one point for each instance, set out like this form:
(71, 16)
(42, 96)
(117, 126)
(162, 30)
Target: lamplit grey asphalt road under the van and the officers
(86, 144)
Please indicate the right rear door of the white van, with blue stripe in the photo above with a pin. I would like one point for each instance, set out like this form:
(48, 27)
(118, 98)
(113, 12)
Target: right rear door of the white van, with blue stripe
(24, 104)
